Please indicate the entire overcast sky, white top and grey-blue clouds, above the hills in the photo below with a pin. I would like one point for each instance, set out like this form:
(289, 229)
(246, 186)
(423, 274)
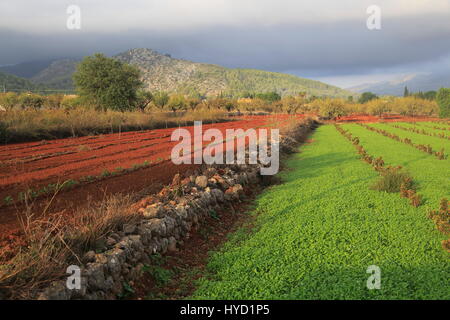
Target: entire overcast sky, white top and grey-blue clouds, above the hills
(321, 39)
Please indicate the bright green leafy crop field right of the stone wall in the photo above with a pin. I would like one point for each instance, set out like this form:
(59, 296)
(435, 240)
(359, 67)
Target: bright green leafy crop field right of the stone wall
(315, 235)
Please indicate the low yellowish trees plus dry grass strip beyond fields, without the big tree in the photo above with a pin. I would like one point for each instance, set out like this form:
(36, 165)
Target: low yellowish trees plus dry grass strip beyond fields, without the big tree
(30, 117)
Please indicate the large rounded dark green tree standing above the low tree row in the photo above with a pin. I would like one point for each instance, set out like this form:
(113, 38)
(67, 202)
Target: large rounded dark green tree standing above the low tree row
(107, 83)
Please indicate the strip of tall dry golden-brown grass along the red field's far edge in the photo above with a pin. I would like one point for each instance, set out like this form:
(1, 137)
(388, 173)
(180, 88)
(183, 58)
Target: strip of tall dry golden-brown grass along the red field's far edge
(31, 124)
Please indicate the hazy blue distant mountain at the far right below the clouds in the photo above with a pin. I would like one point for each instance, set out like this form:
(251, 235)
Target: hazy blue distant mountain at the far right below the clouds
(414, 82)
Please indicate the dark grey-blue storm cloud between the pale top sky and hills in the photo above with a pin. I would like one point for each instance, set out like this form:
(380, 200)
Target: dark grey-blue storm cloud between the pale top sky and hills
(337, 47)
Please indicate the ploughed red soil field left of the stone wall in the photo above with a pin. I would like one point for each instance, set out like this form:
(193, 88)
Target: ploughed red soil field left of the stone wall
(34, 165)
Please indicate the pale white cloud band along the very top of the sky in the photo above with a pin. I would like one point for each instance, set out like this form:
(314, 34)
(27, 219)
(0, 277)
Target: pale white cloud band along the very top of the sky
(158, 15)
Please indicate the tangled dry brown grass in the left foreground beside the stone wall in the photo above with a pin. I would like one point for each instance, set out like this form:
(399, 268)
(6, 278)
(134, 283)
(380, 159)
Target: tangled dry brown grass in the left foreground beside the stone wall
(50, 243)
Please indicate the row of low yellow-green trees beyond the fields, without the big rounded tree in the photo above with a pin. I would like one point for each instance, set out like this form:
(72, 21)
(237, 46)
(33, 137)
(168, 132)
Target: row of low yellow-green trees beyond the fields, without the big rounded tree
(325, 107)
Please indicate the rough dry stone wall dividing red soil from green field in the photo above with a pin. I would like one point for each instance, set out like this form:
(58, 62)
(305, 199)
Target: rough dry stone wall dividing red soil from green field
(168, 219)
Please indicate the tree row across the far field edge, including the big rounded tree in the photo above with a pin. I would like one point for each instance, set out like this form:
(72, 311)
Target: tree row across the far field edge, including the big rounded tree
(104, 83)
